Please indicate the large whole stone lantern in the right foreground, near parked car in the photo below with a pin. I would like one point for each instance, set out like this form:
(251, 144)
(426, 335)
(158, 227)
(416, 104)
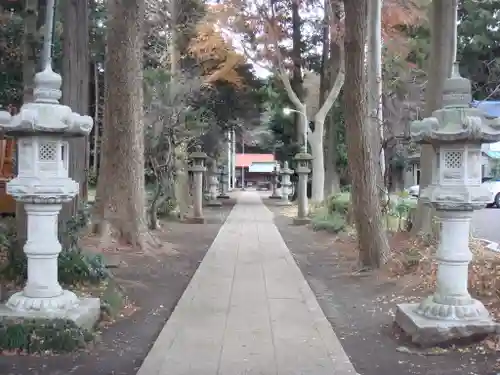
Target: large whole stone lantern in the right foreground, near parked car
(456, 132)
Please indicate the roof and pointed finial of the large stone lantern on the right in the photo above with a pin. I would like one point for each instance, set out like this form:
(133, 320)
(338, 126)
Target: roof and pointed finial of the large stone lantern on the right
(456, 122)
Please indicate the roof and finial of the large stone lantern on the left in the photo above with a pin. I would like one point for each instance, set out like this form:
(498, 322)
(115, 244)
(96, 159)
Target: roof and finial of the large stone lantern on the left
(45, 116)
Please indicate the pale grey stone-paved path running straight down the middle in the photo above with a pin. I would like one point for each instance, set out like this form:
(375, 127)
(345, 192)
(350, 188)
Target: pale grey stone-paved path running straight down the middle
(248, 310)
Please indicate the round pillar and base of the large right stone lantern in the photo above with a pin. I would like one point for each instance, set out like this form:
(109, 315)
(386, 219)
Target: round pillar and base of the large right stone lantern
(450, 313)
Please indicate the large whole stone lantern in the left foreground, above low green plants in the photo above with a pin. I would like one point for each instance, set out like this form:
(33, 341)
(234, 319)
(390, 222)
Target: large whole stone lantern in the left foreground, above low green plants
(42, 129)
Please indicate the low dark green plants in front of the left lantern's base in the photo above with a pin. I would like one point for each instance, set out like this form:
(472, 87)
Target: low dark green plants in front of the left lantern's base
(41, 335)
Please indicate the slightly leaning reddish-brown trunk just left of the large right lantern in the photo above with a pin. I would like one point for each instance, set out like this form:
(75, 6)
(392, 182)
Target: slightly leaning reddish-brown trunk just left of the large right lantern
(373, 244)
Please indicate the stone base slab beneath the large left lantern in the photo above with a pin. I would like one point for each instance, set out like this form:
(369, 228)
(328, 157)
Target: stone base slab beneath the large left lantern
(84, 312)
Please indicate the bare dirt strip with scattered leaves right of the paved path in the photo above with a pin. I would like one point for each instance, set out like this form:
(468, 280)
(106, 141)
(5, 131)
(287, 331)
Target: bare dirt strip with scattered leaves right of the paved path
(361, 307)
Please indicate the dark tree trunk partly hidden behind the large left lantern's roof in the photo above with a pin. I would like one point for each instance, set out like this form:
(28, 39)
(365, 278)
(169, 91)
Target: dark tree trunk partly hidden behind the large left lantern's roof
(75, 94)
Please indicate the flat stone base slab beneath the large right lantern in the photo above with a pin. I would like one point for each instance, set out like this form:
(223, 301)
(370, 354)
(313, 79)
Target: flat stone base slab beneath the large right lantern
(429, 332)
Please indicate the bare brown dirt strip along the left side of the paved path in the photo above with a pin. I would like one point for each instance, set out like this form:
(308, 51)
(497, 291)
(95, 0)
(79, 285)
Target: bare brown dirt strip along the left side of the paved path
(154, 284)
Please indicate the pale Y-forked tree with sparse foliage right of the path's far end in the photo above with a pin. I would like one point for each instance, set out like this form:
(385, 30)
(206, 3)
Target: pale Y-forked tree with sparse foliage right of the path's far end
(270, 28)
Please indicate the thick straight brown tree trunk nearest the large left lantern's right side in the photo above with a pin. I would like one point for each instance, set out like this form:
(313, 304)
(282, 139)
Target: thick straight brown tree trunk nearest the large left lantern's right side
(120, 201)
